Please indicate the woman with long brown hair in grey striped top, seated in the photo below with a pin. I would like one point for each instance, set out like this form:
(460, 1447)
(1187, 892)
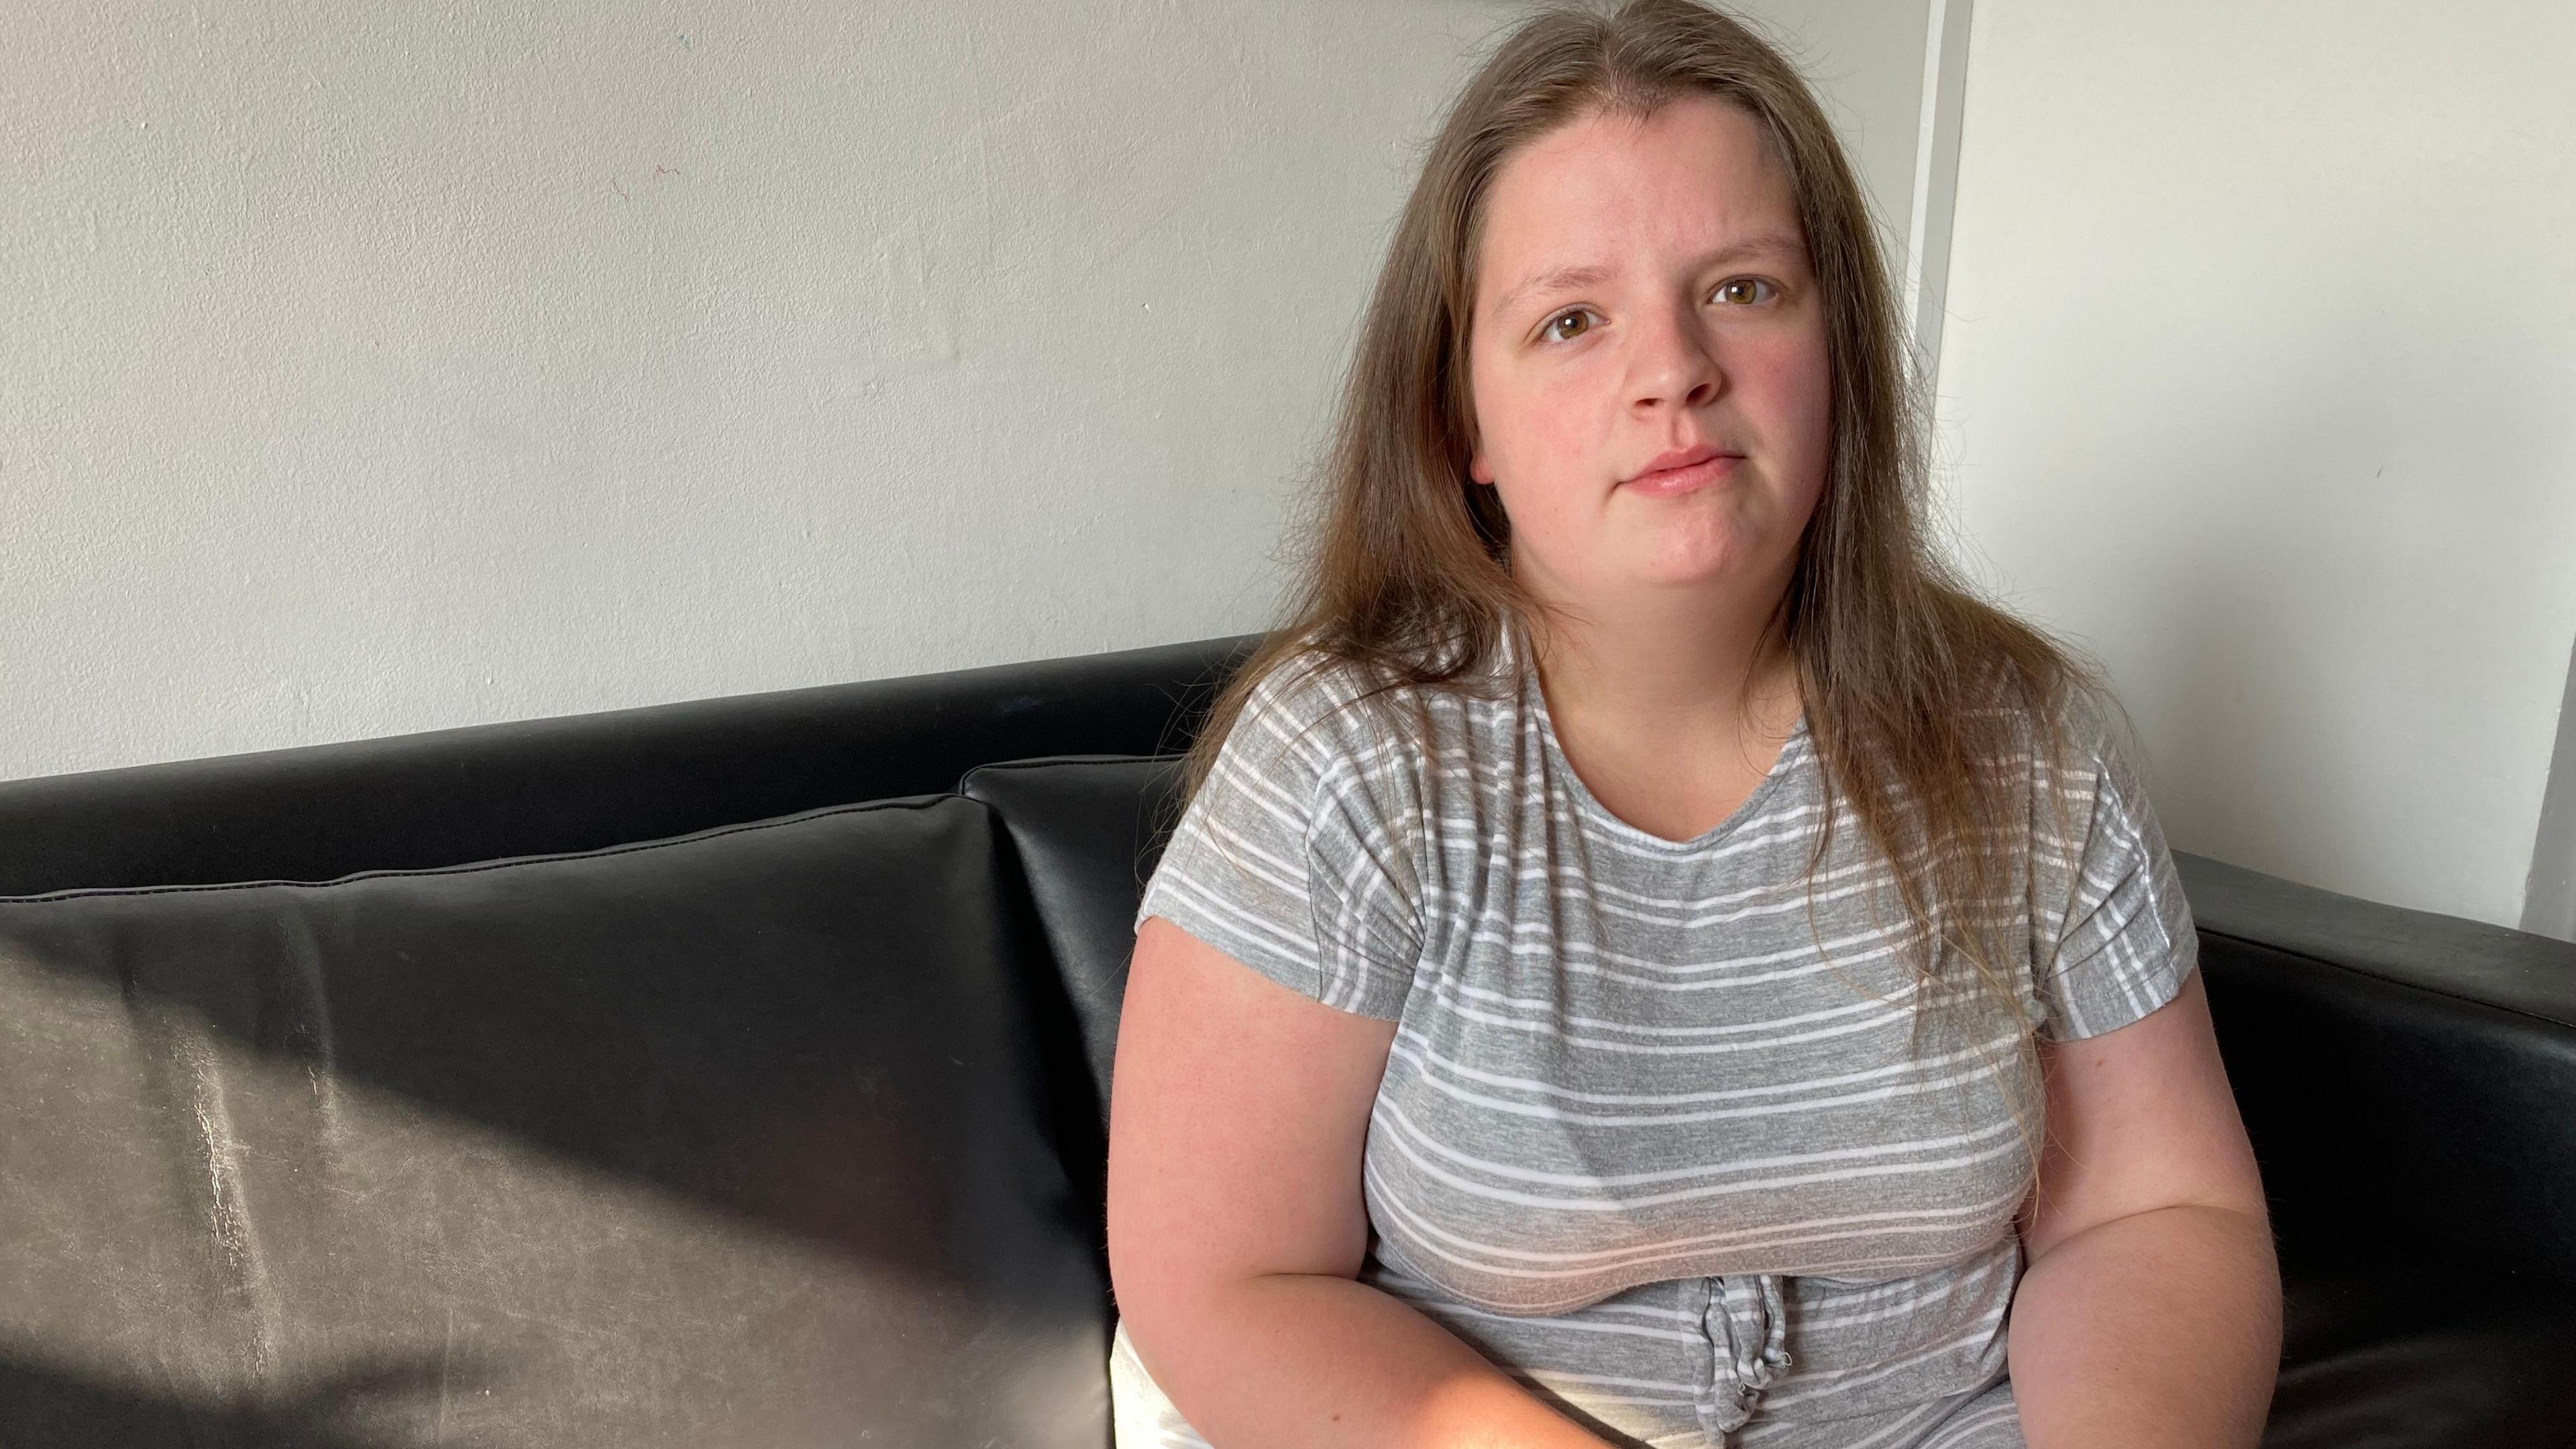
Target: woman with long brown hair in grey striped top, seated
(1640, 922)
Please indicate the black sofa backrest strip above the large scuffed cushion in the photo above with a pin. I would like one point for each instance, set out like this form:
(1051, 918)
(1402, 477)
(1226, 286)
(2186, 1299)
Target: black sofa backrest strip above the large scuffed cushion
(594, 780)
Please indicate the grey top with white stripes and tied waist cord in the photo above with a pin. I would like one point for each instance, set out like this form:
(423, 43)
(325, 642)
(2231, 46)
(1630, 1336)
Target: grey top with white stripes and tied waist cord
(1650, 1133)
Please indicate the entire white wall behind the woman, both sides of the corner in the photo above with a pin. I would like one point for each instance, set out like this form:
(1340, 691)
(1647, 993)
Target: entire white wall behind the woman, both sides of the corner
(375, 370)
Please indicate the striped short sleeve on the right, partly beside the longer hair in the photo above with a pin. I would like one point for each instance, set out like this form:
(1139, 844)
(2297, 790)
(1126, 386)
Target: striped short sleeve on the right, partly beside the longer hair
(2111, 935)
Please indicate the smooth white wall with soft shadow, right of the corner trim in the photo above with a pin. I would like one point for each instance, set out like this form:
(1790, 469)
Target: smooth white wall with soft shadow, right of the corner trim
(2260, 378)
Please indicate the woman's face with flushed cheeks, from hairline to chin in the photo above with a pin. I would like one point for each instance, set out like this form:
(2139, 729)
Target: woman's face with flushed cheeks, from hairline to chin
(1642, 290)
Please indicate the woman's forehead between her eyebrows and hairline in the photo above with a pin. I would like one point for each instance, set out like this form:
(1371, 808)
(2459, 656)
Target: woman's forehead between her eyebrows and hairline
(1611, 190)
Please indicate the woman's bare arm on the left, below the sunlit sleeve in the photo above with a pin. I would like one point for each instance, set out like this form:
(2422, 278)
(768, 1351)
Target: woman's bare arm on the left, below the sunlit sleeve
(1238, 1226)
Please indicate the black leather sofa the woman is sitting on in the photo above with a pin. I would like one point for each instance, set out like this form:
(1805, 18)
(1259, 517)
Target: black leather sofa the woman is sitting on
(738, 1074)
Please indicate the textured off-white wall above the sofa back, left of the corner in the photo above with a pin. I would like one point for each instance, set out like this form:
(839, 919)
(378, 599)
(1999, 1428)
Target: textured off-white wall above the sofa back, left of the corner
(390, 367)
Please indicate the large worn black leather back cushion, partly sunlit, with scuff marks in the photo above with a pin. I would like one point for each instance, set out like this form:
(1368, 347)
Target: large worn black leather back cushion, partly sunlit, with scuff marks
(723, 1138)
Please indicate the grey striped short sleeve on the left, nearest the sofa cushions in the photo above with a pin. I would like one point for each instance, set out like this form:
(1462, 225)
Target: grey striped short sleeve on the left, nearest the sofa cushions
(1292, 857)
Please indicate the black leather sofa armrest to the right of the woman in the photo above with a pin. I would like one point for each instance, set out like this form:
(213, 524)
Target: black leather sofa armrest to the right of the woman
(2407, 1079)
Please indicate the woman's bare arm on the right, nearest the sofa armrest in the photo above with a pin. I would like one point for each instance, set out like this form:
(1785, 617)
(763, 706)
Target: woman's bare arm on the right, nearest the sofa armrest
(2150, 1308)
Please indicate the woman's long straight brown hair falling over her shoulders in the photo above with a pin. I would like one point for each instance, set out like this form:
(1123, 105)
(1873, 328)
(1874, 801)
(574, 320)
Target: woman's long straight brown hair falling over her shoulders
(1920, 697)
